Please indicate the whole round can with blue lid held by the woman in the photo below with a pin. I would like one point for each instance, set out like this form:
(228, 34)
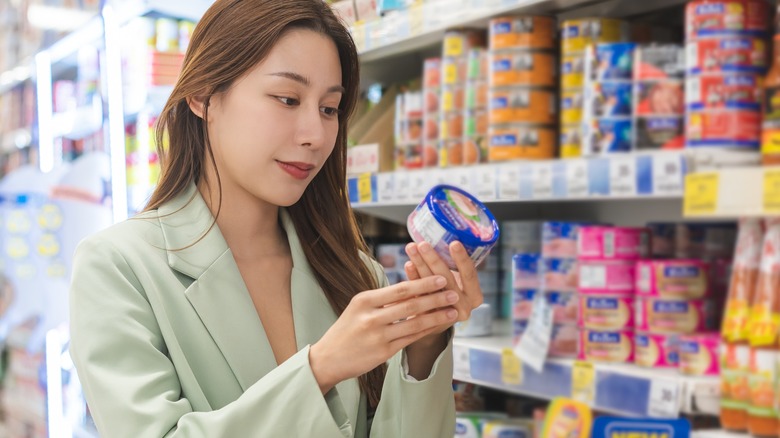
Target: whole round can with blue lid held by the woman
(447, 214)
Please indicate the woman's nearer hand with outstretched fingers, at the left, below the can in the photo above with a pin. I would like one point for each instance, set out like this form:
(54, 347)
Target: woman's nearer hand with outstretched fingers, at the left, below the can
(377, 324)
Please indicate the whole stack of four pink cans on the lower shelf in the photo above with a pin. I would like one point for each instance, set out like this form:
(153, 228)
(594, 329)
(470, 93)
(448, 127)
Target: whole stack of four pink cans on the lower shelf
(607, 262)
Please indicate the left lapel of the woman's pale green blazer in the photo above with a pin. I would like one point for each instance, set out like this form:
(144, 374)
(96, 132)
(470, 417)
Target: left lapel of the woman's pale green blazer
(218, 293)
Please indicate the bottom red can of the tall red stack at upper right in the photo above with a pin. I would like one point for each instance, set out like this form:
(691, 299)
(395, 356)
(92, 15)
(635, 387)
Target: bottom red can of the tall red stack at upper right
(724, 128)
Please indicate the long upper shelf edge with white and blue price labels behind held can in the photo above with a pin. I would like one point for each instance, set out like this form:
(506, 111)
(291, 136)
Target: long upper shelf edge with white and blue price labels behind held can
(644, 185)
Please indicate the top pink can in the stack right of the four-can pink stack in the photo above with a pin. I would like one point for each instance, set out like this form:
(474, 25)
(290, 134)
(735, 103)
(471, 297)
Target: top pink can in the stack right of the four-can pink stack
(681, 279)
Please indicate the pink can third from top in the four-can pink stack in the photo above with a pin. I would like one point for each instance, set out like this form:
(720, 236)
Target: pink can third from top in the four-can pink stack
(602, 312)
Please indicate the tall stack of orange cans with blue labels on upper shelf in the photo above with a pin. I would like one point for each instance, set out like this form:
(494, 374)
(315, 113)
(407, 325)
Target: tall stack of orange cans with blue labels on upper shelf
(522, 103)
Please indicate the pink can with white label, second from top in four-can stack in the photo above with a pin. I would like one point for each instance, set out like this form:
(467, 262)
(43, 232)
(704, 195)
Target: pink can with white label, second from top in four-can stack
(612, 277)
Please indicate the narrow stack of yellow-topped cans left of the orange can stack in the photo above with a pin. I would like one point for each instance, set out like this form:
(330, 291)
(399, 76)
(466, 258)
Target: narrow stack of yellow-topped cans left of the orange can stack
(457, 45)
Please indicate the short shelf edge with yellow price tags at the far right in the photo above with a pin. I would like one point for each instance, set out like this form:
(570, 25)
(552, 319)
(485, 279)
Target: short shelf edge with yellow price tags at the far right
(732, 193)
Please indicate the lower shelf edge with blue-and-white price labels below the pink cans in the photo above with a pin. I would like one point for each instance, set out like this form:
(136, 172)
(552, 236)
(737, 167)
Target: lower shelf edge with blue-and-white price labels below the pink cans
(620, 389)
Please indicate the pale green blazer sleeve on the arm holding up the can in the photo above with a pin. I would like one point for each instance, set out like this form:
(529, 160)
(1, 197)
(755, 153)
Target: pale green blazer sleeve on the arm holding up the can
(415, 408)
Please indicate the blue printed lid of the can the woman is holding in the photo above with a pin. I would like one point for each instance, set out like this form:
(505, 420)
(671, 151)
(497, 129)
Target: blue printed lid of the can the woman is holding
(462, 215)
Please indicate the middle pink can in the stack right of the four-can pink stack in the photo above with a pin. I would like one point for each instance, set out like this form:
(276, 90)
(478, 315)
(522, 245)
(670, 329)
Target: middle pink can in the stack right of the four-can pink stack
(673, 316)
